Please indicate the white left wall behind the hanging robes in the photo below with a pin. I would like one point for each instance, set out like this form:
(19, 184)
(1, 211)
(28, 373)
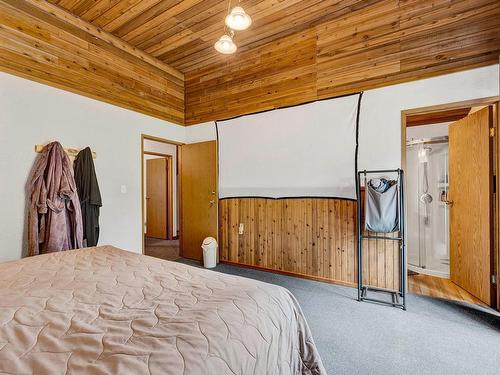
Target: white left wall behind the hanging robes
(31, 113)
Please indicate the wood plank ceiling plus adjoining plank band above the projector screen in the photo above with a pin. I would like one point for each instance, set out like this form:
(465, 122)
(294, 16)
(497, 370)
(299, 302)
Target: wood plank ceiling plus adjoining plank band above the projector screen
(298, 50)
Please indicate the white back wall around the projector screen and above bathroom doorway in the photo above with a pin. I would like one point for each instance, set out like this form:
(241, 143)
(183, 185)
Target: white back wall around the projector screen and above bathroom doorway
(380, 119)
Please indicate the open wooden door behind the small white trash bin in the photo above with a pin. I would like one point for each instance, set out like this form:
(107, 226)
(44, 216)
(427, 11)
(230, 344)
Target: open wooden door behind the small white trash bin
(198, 171)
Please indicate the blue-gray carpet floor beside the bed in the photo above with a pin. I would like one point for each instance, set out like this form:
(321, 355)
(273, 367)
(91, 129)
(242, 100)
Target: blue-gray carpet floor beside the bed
(433, 336)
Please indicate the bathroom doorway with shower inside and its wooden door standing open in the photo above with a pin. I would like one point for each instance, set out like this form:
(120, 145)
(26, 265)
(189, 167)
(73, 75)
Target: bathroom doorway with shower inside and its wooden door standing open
(449, 153)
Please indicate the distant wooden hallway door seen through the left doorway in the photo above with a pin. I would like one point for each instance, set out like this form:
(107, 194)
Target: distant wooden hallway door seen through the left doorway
(156, 198)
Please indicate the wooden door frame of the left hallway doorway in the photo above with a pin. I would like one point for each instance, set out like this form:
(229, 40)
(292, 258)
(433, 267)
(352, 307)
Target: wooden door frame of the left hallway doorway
(170, 185)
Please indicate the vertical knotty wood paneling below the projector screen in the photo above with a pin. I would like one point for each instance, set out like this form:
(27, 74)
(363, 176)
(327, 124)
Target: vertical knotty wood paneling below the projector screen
(312, 237)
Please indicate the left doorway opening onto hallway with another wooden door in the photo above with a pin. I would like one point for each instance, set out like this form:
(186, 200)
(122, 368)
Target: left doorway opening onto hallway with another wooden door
(160, 198)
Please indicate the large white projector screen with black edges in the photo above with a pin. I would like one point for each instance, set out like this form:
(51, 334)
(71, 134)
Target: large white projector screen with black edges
(303, 151)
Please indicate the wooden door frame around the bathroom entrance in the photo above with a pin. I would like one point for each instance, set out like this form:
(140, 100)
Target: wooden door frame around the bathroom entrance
(495, 102)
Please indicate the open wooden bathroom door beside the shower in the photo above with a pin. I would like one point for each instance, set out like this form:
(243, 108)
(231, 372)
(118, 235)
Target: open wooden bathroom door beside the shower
(470, 166)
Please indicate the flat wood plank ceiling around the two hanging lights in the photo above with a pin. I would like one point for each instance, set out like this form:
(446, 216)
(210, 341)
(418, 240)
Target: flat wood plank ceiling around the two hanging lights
(182, 32)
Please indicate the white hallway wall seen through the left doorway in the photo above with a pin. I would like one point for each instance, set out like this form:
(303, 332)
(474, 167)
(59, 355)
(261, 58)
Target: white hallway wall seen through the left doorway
(166, 149)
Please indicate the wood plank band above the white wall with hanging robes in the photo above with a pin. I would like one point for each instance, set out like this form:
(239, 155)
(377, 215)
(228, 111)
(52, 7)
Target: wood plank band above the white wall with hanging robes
(42, 42)
